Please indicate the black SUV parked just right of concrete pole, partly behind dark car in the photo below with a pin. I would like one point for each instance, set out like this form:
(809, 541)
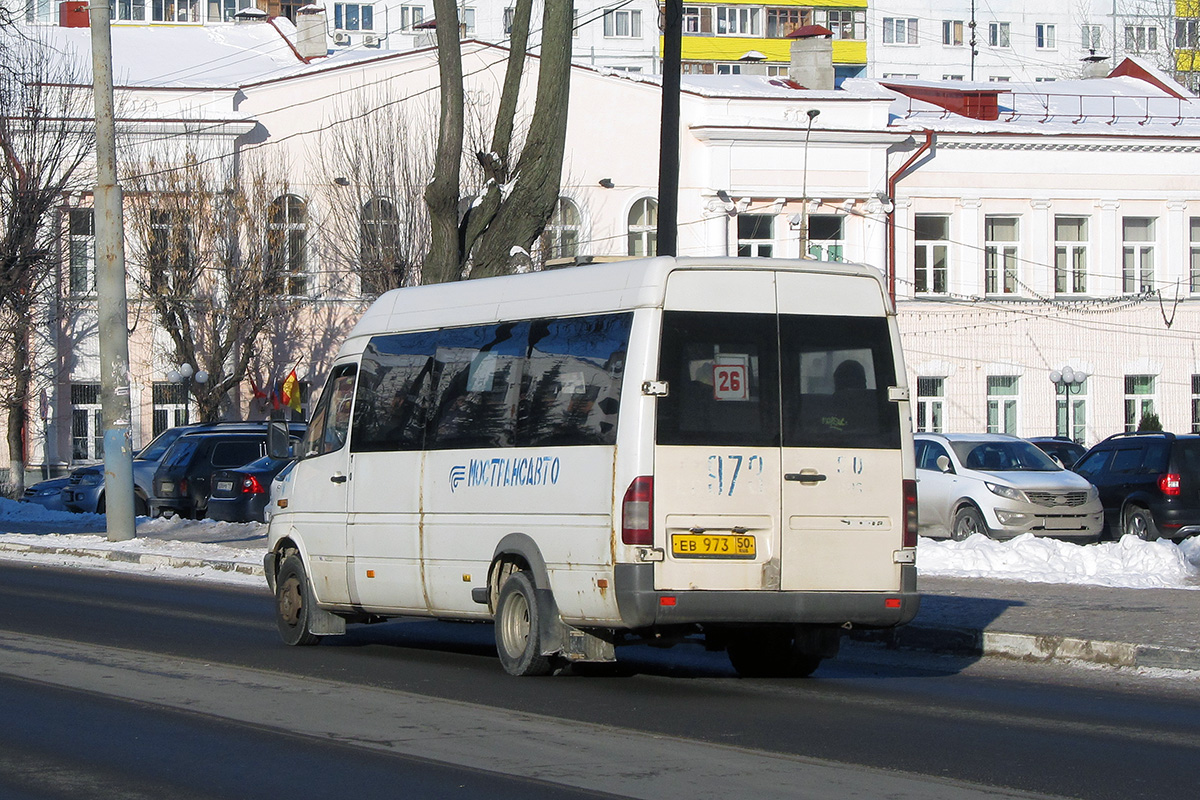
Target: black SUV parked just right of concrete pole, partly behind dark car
(183, 483)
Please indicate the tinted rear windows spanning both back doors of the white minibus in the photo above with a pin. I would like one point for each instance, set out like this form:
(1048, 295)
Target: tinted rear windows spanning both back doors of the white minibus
(741, 380)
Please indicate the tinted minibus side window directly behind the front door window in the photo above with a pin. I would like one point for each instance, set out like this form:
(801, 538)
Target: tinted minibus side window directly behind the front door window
(395, 393)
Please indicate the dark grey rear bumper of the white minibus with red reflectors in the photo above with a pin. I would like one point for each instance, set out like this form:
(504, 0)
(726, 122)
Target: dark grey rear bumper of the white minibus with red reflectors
(643, 606)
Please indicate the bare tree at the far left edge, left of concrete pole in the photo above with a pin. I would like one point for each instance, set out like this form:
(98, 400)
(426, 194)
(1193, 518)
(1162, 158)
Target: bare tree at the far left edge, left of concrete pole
(46, 139)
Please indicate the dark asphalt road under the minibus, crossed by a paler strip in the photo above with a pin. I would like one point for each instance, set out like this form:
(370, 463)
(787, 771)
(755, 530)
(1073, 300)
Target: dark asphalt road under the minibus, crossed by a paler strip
(154, 689)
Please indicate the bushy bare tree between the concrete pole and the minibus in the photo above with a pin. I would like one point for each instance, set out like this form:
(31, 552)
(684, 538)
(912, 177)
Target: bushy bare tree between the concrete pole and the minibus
(219, 255)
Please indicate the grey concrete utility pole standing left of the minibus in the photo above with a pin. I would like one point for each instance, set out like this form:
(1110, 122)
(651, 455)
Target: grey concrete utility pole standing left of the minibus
(115, 338)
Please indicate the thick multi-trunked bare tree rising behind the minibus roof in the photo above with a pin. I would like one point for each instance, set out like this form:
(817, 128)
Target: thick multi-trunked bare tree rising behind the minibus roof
(521, 191)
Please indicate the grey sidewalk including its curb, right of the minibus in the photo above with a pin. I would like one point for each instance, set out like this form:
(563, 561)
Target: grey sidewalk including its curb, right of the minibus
(1124, 628)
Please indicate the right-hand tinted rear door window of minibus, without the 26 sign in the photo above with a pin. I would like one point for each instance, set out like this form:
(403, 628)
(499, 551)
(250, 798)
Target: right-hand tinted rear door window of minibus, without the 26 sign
(837, 372)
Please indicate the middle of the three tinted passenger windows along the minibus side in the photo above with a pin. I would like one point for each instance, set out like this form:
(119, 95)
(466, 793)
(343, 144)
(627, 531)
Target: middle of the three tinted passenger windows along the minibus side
(478, 383)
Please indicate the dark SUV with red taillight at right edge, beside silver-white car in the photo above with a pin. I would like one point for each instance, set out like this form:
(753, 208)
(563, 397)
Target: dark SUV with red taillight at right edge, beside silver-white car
(1149, 484)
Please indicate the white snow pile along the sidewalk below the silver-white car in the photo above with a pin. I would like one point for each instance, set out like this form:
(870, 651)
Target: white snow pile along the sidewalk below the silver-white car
(1130, 563)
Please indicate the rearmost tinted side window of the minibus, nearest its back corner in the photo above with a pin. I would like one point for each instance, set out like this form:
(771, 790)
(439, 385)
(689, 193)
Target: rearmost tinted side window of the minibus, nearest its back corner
(572, 388)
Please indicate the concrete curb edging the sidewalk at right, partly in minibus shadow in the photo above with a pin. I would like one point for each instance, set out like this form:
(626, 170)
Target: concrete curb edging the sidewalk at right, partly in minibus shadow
(1033, 647)
